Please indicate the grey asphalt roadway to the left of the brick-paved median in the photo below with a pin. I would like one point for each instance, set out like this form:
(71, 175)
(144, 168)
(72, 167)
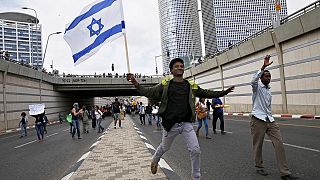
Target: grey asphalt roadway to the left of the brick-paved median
(53, 158)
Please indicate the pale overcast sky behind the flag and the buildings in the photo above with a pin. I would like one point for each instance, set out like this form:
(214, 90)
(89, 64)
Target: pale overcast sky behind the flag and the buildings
(142, 27)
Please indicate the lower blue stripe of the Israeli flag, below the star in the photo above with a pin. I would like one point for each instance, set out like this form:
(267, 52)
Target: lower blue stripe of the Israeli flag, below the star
(99, 40)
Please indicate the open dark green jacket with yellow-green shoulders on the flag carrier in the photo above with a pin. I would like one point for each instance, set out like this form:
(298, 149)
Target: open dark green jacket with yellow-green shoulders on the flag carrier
(159, 92)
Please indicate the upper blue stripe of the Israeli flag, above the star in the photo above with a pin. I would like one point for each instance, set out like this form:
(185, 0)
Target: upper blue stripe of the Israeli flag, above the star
(94, 9)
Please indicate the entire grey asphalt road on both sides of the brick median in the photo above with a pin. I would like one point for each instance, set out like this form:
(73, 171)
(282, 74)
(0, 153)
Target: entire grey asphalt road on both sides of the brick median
(222, 157)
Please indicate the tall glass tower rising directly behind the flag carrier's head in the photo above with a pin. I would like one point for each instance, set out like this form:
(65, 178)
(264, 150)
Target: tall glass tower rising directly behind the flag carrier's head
(180, 31)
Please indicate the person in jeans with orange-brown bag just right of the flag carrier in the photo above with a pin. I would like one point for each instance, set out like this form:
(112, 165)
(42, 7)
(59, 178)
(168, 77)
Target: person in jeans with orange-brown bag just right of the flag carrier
(202, 116)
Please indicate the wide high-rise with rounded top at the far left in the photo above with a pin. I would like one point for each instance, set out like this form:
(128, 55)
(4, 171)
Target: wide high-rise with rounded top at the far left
(20, 36)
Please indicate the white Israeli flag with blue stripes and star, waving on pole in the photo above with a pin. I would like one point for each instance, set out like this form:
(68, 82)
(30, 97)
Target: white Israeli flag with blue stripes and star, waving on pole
(98, 23)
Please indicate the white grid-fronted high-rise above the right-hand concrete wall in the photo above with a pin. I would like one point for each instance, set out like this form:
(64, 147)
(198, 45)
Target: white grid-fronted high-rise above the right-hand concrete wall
(236, 20)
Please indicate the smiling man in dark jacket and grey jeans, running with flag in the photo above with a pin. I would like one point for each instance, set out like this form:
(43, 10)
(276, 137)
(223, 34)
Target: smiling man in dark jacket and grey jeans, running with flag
(177, 110)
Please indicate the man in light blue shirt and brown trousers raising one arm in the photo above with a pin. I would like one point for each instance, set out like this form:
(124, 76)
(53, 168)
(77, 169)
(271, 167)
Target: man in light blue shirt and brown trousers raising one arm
(263, 123)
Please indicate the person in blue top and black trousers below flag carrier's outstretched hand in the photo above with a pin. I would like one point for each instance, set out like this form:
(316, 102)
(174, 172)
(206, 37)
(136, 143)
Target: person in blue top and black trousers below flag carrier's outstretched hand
(217, 107)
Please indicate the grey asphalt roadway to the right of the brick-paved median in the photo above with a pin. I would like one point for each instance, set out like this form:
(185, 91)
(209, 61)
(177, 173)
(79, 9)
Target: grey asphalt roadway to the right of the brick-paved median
(230, 156)
